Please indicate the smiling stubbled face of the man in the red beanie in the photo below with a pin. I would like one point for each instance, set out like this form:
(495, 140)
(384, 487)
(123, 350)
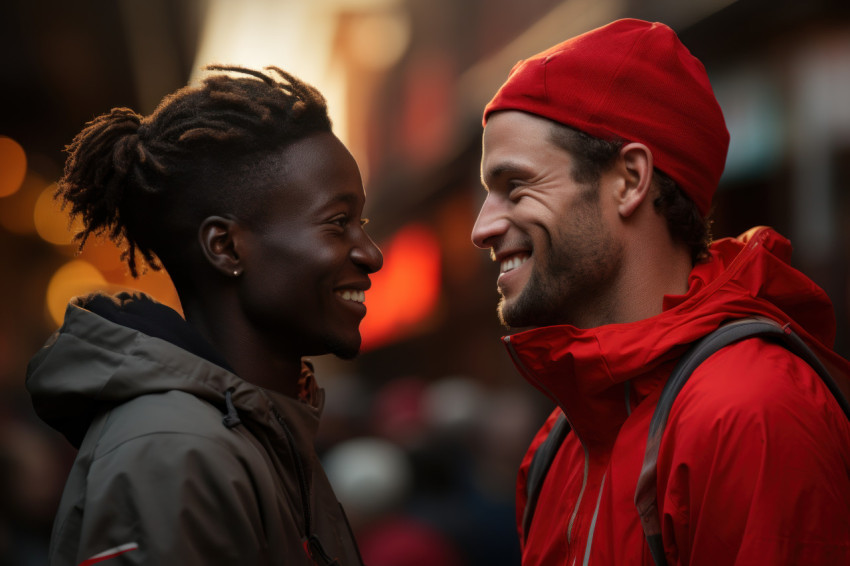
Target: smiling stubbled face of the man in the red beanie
(555, 240)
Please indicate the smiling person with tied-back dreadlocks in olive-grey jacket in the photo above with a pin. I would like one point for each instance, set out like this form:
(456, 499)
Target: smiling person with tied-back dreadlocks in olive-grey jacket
(195, 436)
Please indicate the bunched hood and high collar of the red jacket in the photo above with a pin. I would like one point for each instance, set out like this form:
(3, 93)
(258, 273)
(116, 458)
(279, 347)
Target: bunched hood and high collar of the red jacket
(743, 277)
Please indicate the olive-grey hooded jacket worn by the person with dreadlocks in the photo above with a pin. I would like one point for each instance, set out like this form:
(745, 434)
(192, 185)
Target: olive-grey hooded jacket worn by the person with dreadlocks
(180, 461)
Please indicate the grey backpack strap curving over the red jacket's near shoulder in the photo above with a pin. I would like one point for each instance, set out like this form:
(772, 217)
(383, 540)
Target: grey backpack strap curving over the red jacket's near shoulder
(646, 497)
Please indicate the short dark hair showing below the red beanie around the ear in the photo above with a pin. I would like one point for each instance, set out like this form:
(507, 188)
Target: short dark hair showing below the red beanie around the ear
(592, 156)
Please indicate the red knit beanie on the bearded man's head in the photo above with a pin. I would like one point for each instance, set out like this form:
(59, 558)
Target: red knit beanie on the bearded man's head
(634, 81)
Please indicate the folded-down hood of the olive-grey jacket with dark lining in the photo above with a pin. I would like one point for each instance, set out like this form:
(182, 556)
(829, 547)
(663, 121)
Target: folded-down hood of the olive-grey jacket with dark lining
(110, 350)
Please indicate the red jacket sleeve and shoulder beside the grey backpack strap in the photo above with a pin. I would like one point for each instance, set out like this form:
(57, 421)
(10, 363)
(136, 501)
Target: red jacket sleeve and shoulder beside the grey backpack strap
(754, 466)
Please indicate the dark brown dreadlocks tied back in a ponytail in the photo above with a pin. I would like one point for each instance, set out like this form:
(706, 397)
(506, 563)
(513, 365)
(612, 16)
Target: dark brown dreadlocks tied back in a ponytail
(146, 181)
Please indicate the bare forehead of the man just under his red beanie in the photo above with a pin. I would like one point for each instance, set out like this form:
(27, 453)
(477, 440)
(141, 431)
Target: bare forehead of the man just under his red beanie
(514, 139)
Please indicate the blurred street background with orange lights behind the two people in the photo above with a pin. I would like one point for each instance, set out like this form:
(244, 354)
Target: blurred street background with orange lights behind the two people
(422, 433)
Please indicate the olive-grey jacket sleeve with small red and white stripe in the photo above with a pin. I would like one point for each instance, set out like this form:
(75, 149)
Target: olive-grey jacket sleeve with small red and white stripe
(170, 499)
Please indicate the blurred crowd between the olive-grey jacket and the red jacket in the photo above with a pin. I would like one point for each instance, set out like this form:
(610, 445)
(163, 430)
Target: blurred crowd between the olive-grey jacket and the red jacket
(426, 471)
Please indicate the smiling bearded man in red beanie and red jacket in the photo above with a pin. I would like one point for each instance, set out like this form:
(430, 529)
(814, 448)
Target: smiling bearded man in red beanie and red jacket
(600, 159)
